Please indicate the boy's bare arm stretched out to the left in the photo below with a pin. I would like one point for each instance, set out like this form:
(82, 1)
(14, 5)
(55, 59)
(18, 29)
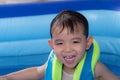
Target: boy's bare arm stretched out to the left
(33, 73)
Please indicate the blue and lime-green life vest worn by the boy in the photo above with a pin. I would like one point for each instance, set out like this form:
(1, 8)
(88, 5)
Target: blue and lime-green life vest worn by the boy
(83, 71)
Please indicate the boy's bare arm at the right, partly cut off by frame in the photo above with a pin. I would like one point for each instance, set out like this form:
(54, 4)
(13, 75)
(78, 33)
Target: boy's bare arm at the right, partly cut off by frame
(103, 73)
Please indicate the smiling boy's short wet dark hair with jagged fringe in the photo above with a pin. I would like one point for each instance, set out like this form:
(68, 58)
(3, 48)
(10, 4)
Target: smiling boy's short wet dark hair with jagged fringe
(68, 19)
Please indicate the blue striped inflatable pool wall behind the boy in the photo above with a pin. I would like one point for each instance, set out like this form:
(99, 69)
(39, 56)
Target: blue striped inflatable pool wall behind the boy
(24, 31)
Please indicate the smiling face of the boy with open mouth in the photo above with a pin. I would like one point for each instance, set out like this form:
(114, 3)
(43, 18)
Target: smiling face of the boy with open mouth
(69, 47)
